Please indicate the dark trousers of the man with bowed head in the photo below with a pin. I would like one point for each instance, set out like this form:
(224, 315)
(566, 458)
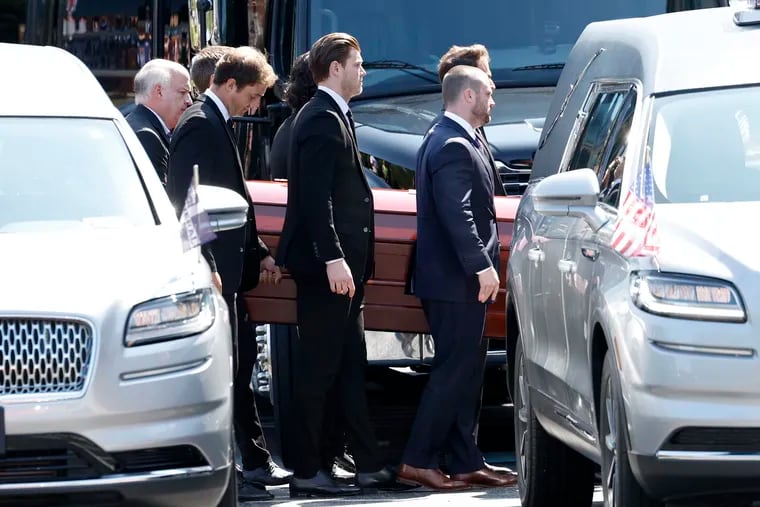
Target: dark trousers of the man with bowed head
(249, 434)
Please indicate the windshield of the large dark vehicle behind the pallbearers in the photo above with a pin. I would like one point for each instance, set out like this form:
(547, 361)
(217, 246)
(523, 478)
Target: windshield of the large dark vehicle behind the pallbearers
(528, 41)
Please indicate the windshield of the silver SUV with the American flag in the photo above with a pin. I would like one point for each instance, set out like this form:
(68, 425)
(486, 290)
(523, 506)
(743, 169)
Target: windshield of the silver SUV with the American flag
(705, 147)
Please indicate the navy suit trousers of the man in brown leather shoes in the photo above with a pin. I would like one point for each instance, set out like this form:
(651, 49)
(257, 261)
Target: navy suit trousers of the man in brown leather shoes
(446, 415)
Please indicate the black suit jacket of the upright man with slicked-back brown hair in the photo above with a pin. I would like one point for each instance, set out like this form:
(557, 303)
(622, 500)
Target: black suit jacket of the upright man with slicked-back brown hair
(330, 211)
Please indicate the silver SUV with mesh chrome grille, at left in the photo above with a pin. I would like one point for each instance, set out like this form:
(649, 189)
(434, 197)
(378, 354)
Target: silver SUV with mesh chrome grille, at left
(115, 350)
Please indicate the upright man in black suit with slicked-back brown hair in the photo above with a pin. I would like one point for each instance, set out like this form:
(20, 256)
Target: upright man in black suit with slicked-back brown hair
(327, 244)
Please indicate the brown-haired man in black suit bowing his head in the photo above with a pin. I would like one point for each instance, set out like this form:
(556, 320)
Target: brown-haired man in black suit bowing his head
(238, 258)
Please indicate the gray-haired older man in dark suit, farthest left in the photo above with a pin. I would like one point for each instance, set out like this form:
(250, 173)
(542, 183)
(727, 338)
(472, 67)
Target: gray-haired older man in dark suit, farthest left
(162, 93)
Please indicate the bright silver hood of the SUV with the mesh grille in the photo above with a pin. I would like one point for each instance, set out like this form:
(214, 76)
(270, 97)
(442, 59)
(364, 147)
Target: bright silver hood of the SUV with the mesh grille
(85, 271)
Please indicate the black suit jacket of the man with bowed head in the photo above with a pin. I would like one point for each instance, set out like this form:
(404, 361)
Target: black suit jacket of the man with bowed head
(203, 137)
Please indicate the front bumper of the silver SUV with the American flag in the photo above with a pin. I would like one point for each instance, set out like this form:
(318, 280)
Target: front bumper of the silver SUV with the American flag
(692, 416)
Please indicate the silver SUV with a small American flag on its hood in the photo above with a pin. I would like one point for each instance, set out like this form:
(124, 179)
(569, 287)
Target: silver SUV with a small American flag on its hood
(632, 278)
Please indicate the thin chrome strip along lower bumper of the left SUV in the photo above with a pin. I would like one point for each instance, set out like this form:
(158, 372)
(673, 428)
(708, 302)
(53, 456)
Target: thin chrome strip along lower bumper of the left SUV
(109, 480)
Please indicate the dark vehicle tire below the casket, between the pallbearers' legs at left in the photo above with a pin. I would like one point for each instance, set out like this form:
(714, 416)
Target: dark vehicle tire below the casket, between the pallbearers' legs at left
(281, 350)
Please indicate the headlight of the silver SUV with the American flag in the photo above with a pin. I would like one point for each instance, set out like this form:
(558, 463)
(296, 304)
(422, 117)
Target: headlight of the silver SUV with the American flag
(687, 297)
